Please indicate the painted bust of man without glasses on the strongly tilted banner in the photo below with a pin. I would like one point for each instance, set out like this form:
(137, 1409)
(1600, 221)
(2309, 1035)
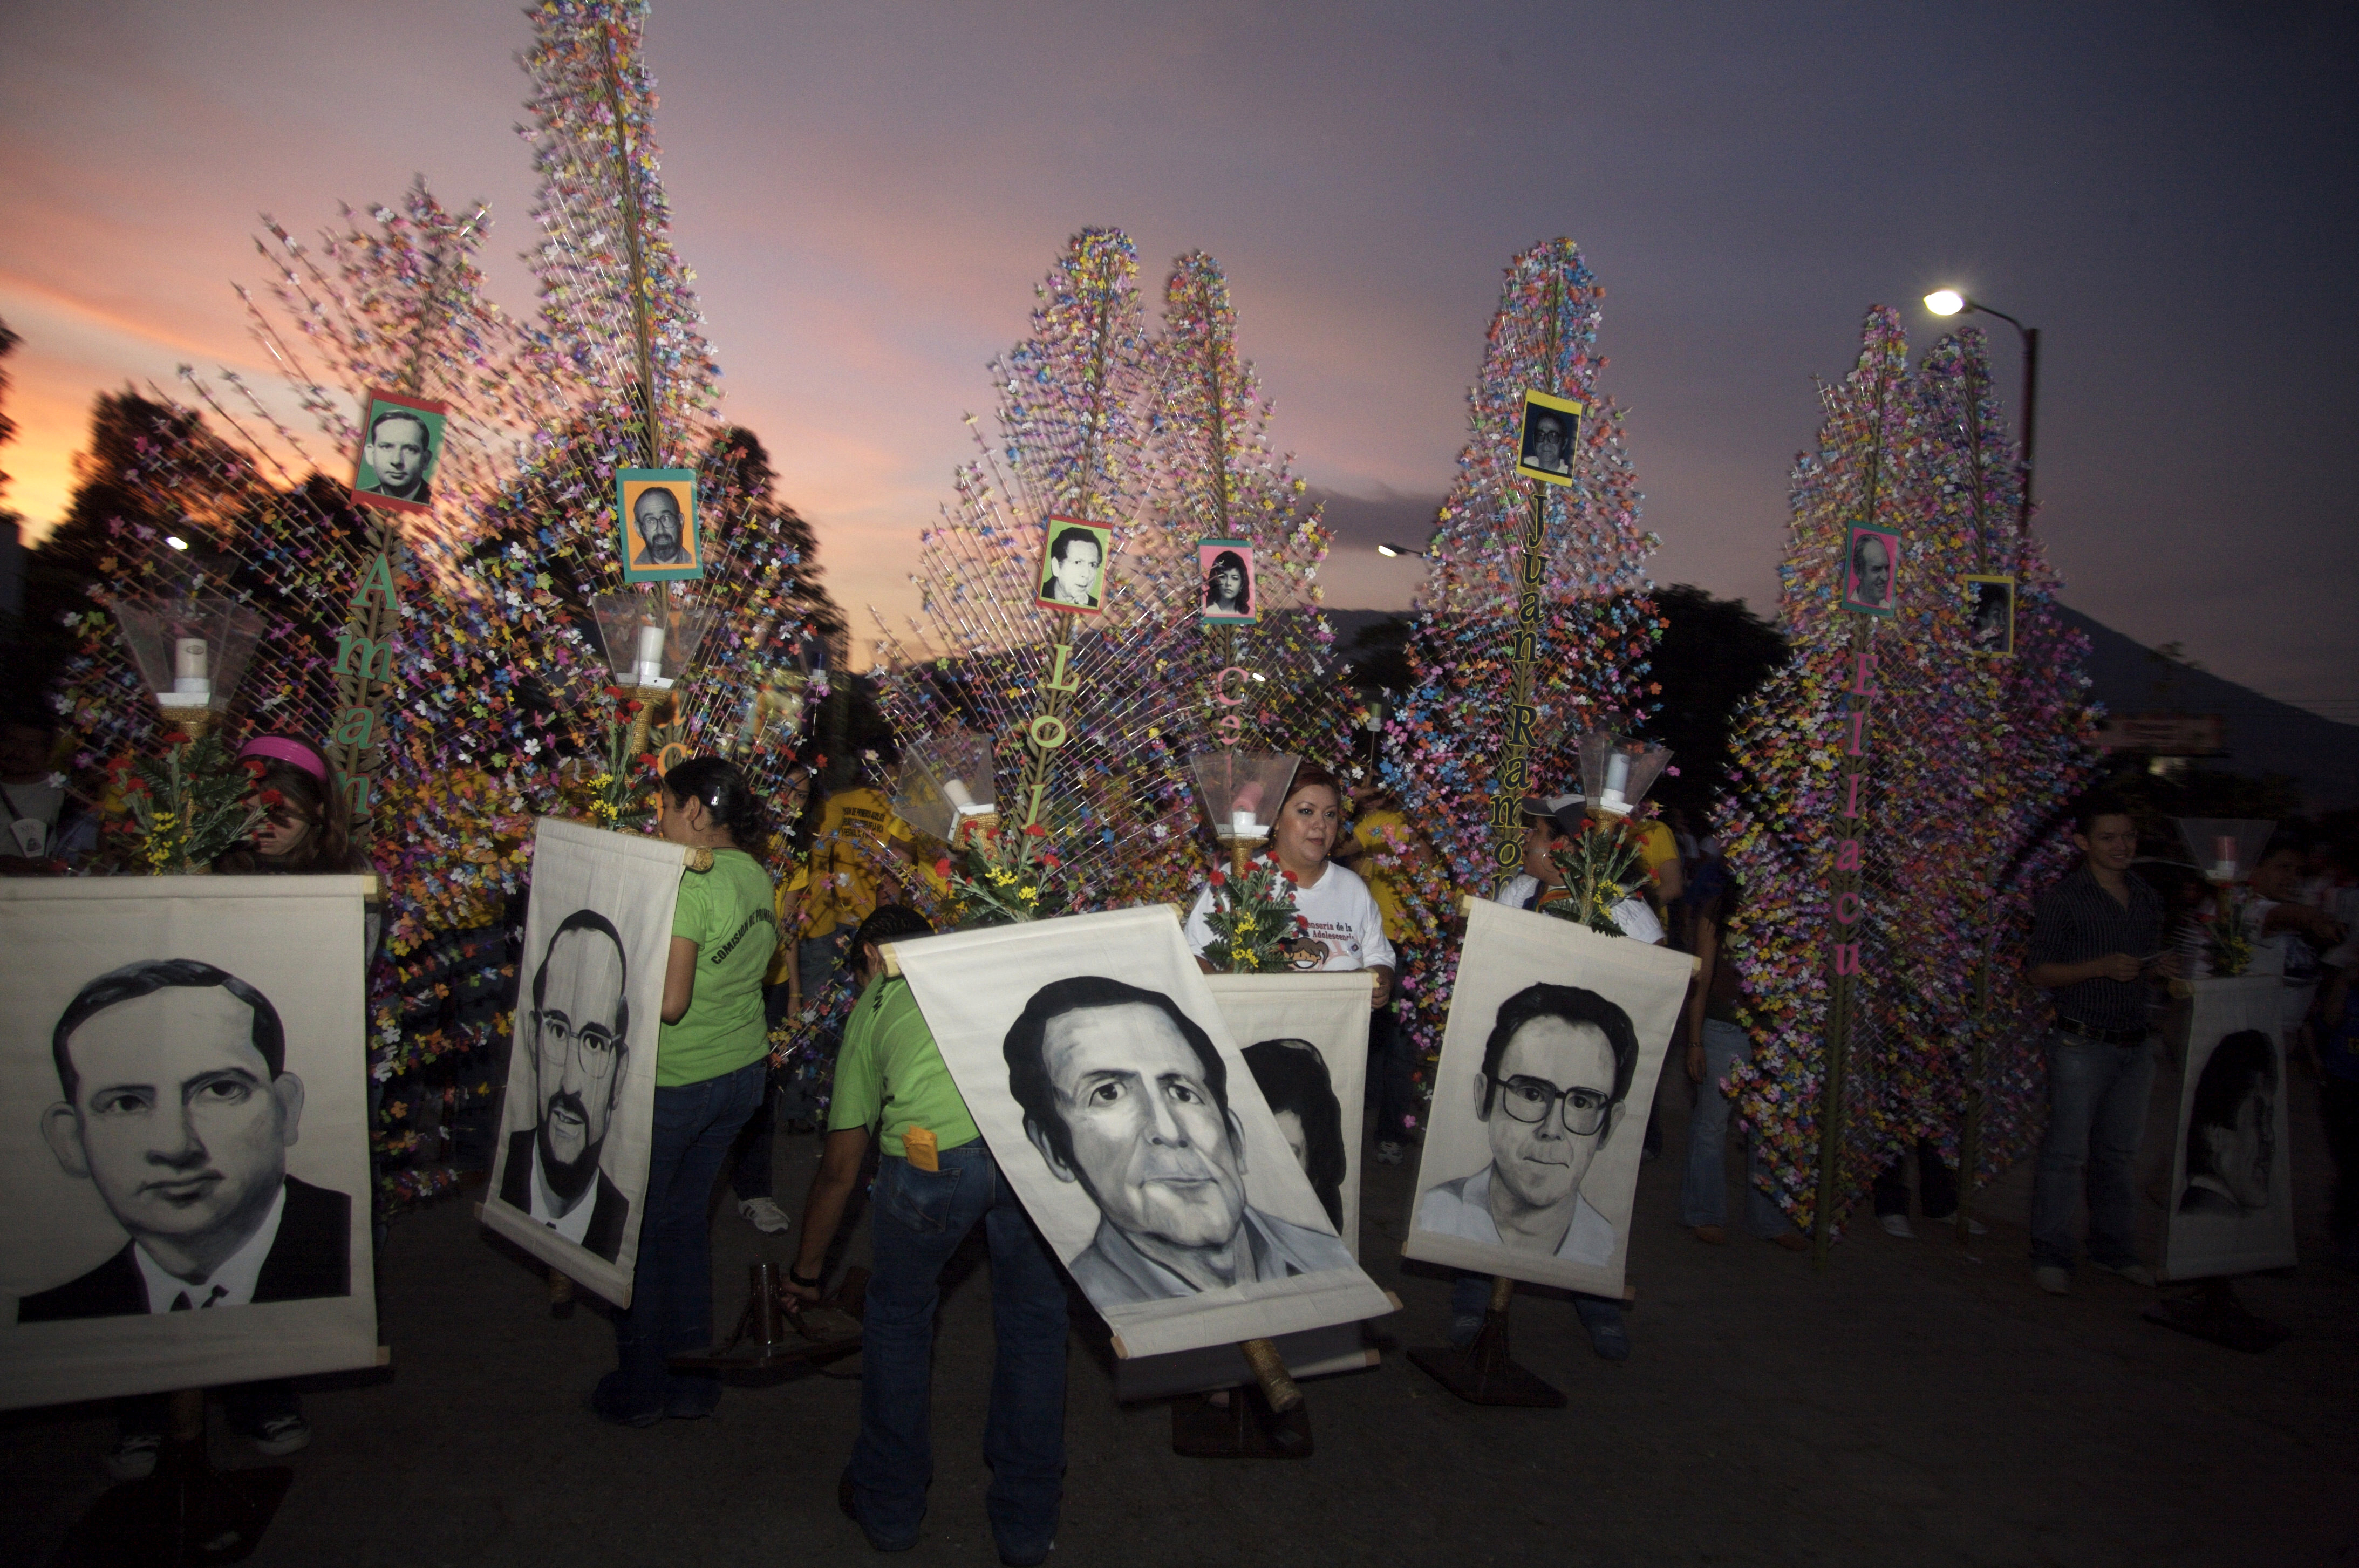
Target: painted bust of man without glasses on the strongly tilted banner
(1126, 1098)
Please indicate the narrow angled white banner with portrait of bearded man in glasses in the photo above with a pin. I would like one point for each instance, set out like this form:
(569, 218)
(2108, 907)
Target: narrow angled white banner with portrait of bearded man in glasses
(570, 1168)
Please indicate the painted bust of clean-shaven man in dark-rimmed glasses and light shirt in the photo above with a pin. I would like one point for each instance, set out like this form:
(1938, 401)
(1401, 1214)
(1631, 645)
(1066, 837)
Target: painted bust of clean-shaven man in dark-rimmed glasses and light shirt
(1556, 1072)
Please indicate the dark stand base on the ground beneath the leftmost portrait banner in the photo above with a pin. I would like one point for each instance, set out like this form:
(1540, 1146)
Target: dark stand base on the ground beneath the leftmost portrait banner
(188, 1515)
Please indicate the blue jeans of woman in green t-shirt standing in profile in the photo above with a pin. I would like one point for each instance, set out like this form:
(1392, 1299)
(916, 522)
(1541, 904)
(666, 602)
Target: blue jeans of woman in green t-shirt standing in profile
(671, 1289)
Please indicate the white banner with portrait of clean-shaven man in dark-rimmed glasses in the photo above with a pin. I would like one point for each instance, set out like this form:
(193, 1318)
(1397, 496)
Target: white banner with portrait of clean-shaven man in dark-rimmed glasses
(1542, 1100)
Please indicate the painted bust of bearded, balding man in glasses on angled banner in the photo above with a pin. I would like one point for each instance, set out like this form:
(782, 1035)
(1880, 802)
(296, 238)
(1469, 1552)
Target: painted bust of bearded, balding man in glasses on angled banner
(581, 1043)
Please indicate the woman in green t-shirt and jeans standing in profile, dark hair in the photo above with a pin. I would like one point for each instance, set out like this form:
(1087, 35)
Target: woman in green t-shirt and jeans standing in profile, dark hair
(711, 1069)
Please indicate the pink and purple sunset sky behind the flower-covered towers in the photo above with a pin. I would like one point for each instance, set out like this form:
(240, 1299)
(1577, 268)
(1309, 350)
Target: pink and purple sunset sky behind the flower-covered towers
(872, 192)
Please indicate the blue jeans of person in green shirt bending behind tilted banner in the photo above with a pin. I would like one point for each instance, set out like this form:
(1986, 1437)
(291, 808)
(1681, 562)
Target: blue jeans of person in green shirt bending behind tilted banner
(919, 1223)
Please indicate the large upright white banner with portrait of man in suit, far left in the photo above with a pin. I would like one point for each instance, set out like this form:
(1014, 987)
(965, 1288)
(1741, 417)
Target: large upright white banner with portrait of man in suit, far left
(183, 1135)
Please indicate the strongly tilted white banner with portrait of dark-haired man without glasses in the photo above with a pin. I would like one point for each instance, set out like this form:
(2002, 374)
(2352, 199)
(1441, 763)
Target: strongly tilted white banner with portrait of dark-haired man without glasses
(1115, 1095)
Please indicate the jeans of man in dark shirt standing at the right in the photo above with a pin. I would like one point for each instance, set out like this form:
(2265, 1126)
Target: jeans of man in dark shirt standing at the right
(2096, 1121)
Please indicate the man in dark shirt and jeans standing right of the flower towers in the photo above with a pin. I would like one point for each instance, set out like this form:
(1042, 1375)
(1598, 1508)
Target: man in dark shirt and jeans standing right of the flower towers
(2096, 951)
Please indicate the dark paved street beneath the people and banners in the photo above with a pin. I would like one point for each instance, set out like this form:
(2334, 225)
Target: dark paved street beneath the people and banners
(1912, 1404)
